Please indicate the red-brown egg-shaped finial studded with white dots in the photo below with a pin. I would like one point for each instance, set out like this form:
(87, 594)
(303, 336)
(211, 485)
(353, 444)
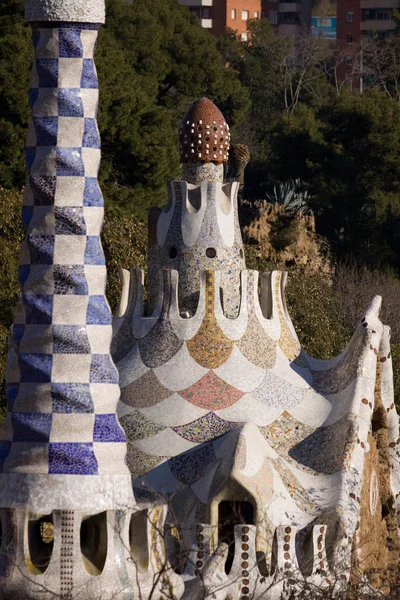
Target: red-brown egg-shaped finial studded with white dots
(204, 134)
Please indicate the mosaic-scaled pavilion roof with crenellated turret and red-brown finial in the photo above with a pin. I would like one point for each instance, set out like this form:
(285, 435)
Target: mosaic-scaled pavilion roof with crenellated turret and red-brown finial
(272, 464)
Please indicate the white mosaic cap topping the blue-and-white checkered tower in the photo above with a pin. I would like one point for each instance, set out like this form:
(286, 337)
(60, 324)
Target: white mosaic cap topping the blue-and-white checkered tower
(75, 11)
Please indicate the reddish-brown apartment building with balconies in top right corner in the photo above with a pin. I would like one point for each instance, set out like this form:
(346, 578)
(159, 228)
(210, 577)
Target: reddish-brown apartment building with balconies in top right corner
(357, 18)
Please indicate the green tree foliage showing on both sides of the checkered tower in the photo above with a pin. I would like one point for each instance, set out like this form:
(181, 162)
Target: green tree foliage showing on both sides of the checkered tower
(153, 60)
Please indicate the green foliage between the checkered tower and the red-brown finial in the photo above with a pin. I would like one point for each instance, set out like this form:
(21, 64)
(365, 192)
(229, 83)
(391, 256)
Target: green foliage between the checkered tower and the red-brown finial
(154, 60)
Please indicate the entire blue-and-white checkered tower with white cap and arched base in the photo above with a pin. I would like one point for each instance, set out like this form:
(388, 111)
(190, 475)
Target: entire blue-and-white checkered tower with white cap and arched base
(63, 478)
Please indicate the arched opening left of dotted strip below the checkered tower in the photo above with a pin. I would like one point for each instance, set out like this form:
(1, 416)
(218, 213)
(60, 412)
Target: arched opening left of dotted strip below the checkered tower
(40, 538)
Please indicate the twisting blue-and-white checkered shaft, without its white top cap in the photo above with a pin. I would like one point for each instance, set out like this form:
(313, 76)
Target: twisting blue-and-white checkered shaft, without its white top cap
(62, 386)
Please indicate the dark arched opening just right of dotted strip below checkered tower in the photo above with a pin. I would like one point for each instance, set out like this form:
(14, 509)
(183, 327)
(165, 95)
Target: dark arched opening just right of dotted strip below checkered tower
(94, 543)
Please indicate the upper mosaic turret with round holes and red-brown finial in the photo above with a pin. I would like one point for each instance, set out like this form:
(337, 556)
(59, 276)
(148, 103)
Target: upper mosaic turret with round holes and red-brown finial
(199, 228)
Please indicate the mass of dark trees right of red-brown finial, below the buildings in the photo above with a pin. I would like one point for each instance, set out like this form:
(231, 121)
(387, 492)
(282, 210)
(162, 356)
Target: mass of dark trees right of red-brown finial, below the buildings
(342, 144)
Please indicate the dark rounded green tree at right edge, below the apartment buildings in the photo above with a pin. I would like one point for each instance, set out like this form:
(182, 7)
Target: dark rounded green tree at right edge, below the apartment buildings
(348, 153)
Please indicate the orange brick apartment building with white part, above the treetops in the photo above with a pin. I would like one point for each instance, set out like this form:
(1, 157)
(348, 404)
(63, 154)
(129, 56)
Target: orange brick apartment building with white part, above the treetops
(217, 15)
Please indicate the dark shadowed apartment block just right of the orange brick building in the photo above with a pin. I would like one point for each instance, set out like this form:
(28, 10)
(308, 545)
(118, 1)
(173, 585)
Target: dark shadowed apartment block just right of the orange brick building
(288, 16)
